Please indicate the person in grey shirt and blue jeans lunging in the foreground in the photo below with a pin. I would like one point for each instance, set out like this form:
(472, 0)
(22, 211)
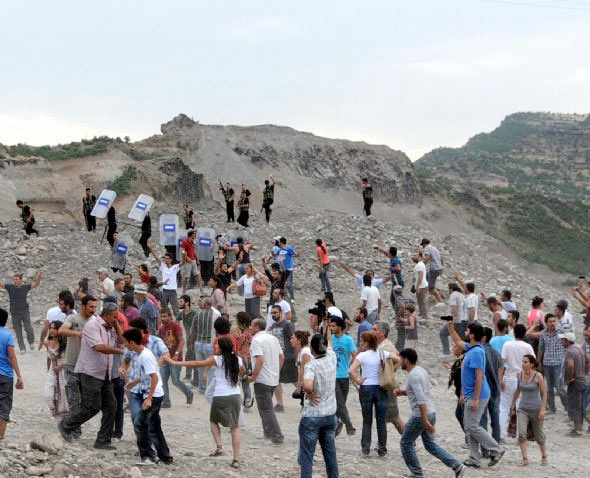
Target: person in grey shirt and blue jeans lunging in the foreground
(423, 419)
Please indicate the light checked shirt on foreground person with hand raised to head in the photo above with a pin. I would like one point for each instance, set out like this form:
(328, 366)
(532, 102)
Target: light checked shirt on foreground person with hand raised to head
(323, 373)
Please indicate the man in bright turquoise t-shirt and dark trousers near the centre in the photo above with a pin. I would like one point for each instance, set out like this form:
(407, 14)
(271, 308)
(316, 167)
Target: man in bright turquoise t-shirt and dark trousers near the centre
(345, 351)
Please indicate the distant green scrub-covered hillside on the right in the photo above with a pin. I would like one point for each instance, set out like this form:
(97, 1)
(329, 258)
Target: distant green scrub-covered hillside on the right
(526, 182)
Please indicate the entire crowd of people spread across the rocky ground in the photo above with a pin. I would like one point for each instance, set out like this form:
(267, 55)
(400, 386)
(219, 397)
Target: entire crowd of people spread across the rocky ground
(115, 347)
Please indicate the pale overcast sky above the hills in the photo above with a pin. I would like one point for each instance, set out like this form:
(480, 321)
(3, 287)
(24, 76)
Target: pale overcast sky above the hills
(410, 74)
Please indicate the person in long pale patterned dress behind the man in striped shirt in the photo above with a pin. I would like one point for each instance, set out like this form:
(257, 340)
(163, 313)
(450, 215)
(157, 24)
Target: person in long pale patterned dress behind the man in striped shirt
(55, 391)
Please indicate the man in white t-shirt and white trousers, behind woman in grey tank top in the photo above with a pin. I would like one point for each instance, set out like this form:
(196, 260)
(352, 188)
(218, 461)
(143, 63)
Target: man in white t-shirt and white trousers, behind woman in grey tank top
(512, 354)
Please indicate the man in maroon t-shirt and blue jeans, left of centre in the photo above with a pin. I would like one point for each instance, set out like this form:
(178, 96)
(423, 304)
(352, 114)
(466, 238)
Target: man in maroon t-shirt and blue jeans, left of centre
(171, 333)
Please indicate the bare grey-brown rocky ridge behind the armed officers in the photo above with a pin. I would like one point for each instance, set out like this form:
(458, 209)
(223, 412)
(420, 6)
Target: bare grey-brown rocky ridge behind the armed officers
(187, 159)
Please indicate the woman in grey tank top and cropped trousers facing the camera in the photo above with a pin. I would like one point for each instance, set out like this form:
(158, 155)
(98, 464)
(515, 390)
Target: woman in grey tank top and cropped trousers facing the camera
(532, 407)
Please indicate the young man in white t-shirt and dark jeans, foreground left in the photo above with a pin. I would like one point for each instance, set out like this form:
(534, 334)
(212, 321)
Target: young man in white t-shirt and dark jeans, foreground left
(147, 422)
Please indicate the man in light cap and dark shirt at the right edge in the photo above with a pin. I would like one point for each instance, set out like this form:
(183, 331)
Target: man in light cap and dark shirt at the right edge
(575, 379)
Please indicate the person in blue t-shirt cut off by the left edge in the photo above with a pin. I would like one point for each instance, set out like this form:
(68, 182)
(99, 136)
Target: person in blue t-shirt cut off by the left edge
(8, 368)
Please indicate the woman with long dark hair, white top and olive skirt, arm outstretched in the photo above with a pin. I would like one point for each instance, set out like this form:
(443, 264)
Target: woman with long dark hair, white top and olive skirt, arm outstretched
(226, 404)
